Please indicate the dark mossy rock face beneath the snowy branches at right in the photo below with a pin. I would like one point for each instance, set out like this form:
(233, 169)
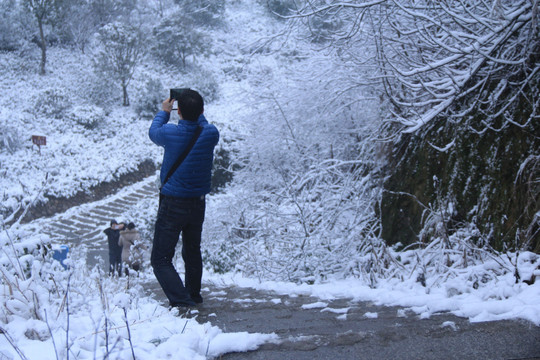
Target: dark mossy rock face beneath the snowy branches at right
(489, 177)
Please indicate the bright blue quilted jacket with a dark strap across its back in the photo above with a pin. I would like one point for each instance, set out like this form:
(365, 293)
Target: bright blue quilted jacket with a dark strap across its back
(193, 176)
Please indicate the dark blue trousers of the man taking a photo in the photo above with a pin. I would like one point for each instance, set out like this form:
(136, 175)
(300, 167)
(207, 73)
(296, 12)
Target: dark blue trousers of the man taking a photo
(175, 216)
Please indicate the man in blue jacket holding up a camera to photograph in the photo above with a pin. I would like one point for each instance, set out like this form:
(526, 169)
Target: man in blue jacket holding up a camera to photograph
(182, 197)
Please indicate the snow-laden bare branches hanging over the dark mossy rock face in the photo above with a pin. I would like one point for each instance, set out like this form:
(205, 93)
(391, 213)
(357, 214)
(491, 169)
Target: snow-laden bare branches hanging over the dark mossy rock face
(447, 53)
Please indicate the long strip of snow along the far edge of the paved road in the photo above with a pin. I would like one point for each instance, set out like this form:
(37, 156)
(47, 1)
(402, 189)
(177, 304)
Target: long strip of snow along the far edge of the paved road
(501, 299)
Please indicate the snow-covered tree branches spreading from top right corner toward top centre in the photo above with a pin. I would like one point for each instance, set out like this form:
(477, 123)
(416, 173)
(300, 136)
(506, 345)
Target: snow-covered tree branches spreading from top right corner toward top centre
(432, 55)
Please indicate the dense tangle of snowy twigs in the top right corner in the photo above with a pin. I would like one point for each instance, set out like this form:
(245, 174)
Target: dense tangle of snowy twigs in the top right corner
(440, 52)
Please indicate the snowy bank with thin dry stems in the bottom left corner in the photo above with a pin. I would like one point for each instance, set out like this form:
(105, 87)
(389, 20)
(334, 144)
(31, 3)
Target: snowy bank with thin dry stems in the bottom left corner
(50, 310)
